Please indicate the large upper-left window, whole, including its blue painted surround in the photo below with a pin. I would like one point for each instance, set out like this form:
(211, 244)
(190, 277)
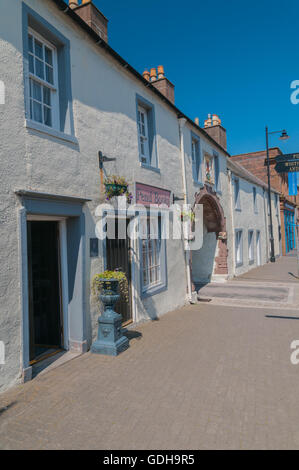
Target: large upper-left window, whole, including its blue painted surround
(47, 77)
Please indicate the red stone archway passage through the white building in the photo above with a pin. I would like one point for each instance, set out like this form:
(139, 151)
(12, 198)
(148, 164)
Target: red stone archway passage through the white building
(211, 259)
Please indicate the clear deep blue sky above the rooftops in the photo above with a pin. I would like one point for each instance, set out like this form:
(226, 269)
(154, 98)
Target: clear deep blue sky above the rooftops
(233, 58)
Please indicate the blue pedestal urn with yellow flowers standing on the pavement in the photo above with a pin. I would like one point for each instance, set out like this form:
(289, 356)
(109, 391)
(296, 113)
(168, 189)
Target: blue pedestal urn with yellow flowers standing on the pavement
(110, 286)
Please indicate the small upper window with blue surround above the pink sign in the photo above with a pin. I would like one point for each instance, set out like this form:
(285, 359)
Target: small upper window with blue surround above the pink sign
(146, 131)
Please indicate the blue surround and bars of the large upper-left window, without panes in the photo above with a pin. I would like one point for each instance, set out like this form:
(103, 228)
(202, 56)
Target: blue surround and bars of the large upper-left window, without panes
(34, 24)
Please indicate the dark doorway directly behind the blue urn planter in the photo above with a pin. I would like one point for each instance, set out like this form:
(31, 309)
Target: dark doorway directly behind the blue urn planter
(118, 257)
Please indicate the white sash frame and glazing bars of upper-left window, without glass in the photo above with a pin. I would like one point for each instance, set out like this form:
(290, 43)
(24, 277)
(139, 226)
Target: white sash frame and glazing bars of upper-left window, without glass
(54, 88)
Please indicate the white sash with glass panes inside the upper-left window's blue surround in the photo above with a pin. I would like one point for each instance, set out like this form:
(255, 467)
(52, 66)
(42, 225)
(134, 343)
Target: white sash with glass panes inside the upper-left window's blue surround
(43, 81)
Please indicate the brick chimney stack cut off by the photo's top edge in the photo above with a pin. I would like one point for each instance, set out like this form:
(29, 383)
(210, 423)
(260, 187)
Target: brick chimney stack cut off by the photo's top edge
(89, 13)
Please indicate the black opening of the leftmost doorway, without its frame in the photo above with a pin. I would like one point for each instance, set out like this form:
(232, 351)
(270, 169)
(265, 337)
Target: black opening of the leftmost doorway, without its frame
(44, 287)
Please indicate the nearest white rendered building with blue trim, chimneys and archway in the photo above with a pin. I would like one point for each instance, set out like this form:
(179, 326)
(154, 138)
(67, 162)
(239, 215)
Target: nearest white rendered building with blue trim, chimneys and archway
(69, 96)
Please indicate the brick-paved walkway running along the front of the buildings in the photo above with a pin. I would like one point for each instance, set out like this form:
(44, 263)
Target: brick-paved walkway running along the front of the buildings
(203, 377)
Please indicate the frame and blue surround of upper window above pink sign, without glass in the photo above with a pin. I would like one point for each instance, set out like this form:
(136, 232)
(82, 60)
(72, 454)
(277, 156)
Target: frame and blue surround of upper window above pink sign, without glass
(152, 163)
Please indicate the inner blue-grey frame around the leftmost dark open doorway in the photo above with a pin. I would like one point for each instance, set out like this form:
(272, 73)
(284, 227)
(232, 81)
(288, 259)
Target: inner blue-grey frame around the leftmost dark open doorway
(62, 272)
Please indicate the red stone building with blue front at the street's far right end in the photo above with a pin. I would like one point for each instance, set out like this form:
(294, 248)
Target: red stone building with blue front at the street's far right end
(255, 162)
